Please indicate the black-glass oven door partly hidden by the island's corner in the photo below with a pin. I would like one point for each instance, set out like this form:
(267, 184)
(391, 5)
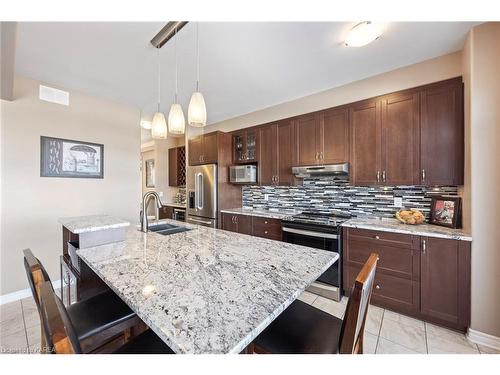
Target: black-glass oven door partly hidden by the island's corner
(317, 240)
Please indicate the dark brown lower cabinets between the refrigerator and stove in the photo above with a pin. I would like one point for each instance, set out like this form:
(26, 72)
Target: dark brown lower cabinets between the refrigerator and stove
(252, 225)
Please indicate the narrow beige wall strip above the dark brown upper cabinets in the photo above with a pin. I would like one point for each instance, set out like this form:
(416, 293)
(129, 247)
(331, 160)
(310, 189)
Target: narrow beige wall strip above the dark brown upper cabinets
(429, 71)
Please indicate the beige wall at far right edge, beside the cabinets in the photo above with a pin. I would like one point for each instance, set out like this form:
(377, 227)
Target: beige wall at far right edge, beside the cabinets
(483, 120)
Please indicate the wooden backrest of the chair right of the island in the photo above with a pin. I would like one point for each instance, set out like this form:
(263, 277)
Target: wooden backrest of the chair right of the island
(351, 336)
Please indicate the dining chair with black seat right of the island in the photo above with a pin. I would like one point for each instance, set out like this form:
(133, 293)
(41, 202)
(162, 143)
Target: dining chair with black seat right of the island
(304, 329)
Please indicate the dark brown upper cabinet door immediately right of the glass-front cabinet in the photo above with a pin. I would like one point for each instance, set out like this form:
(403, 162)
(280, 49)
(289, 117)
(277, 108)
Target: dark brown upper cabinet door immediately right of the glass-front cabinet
(268, 157)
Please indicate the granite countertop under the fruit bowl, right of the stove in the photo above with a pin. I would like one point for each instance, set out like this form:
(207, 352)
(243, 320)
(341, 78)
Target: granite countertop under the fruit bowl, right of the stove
(393, 225)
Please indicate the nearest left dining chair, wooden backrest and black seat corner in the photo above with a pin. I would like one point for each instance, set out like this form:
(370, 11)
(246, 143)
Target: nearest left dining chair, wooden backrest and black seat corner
(61, 336)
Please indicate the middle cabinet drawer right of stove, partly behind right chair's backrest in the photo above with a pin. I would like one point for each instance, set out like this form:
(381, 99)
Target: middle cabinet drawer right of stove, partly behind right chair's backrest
(399, 261)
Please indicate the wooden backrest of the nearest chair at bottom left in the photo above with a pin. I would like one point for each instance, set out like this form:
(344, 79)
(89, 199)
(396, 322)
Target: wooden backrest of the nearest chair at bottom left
(60, 336)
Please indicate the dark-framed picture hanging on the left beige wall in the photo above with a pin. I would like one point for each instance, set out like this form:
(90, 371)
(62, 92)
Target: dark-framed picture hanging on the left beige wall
(69, 158)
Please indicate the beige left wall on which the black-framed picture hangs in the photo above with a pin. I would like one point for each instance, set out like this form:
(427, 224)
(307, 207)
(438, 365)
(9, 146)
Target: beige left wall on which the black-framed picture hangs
(32, 204)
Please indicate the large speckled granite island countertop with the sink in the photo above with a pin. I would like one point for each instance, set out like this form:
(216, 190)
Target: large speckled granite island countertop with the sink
(206, 290)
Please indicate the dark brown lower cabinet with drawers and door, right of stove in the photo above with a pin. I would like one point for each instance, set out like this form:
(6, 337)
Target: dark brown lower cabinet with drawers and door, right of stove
(424, 277)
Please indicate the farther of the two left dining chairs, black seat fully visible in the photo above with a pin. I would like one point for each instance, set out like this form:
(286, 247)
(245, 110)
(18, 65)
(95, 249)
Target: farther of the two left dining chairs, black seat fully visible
(97, 320)
